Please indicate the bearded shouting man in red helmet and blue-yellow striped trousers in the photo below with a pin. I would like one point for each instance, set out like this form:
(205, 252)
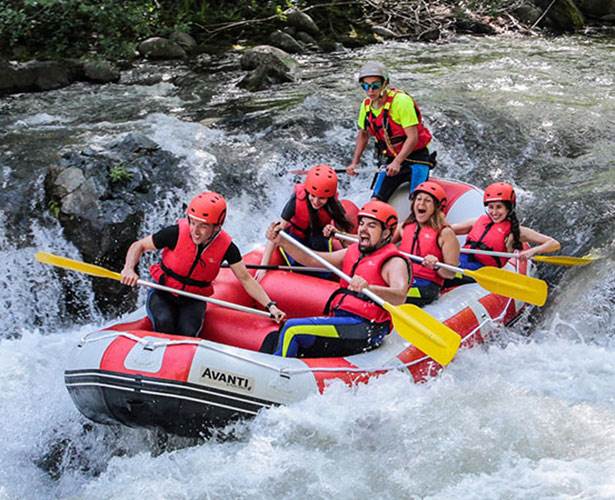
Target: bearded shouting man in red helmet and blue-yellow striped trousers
(354, 323)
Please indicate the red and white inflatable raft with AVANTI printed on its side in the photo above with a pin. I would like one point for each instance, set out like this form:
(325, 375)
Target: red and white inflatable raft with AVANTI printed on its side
(128, 374)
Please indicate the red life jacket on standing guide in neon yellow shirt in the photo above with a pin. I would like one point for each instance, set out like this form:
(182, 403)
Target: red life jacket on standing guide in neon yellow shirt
(378, 125)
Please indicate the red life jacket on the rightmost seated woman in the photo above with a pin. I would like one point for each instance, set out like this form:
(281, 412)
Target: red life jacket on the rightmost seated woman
(488, 235)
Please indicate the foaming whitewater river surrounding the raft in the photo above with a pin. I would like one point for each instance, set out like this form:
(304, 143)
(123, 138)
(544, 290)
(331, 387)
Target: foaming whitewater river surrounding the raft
(530, 416)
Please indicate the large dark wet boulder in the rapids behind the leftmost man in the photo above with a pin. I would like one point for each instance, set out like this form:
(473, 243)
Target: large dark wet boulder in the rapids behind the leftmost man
(100, 196)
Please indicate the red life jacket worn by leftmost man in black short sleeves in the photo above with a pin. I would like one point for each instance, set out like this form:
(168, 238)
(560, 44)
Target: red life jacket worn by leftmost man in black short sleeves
(179, 267)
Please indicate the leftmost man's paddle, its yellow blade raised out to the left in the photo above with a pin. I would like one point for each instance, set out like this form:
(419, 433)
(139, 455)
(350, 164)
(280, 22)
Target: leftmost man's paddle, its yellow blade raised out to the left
(101, 272)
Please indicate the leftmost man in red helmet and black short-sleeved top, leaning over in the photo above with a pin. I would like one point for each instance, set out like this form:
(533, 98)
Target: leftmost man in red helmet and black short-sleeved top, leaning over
(192, 253)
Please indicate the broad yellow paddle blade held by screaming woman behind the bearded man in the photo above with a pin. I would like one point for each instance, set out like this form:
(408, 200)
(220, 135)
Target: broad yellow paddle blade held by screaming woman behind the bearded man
(514, 285)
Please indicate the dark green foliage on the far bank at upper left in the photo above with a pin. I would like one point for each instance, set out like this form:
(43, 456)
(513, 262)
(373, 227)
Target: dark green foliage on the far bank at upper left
(110, 28)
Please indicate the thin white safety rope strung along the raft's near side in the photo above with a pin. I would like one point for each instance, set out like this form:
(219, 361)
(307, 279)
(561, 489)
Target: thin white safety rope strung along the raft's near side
(150, 346)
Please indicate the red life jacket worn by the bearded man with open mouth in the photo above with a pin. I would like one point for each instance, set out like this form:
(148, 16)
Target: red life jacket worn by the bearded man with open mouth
(368, 267)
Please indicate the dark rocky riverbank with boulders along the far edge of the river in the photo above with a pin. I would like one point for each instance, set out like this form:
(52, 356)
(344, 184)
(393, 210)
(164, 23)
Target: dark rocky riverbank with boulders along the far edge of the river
(315, 27)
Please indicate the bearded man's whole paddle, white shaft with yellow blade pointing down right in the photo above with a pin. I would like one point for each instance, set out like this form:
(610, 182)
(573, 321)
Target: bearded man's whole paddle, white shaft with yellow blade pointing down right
(424, 331)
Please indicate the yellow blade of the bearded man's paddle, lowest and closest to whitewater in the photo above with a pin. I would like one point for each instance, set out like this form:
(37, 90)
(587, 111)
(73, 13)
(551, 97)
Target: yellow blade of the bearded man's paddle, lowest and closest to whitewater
(425, 332)
